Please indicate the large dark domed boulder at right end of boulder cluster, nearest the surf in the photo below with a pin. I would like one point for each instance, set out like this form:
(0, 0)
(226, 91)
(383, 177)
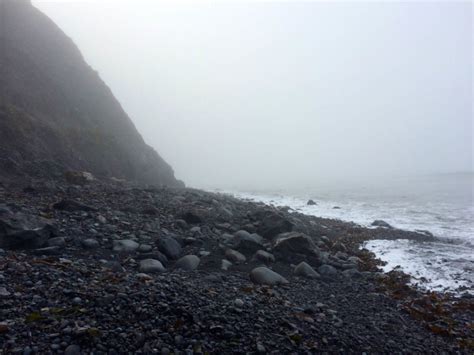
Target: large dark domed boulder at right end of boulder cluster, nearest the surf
(294, 243)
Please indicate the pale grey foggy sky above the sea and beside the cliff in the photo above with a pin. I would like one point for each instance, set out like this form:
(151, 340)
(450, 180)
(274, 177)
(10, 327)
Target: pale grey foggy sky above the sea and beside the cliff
(280, 94)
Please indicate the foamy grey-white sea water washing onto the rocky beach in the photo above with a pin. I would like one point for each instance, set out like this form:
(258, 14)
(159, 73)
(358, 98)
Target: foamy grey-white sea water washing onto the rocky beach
(441, 204)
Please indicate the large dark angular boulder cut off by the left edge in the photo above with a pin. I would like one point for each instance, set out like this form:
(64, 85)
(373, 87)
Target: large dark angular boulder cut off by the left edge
(19, 231)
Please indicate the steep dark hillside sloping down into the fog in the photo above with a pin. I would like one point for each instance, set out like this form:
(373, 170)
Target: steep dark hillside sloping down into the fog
(55, 111)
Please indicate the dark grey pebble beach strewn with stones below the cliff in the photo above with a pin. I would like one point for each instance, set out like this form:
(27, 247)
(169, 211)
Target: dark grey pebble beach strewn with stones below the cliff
(207, 309)
